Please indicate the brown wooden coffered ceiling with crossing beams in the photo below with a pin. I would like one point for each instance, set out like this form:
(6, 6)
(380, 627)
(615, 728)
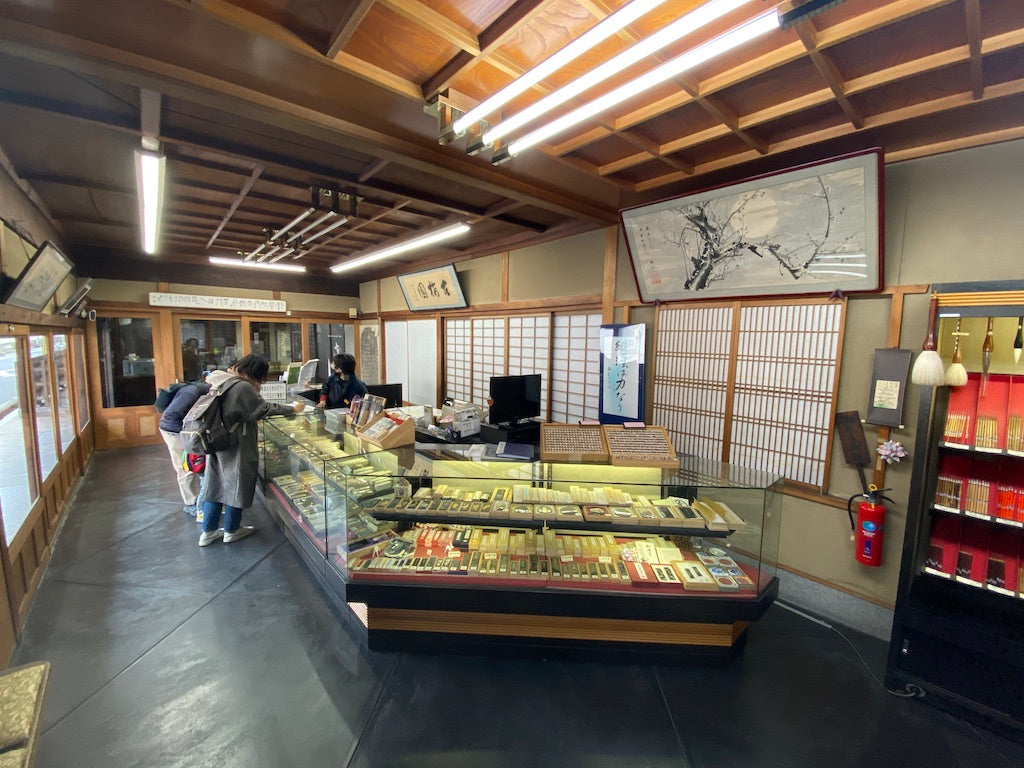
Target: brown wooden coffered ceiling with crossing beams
(258, 102)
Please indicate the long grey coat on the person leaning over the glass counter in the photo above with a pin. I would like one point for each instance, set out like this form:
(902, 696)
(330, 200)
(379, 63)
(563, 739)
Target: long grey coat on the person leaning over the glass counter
(231, 475)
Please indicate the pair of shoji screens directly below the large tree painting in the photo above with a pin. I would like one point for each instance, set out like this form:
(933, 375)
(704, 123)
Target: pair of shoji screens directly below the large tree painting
(751, 383)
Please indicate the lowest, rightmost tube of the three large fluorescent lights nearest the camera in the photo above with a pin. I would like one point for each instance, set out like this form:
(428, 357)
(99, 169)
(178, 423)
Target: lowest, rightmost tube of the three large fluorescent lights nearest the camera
(733, 39)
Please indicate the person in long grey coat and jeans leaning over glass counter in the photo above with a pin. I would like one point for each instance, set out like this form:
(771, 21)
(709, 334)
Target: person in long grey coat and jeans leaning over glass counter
(231, 473)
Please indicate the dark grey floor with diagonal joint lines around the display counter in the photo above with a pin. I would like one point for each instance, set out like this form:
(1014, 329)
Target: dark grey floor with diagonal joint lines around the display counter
(167, 655)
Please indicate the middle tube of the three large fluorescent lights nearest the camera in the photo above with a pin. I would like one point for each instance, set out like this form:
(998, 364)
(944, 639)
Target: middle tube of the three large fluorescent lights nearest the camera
(693, 22)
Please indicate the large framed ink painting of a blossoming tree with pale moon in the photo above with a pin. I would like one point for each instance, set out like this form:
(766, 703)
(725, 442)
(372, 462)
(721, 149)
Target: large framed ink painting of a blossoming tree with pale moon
(813, 230)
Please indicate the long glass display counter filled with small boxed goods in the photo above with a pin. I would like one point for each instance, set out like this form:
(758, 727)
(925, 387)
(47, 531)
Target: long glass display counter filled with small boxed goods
(451, 549)
